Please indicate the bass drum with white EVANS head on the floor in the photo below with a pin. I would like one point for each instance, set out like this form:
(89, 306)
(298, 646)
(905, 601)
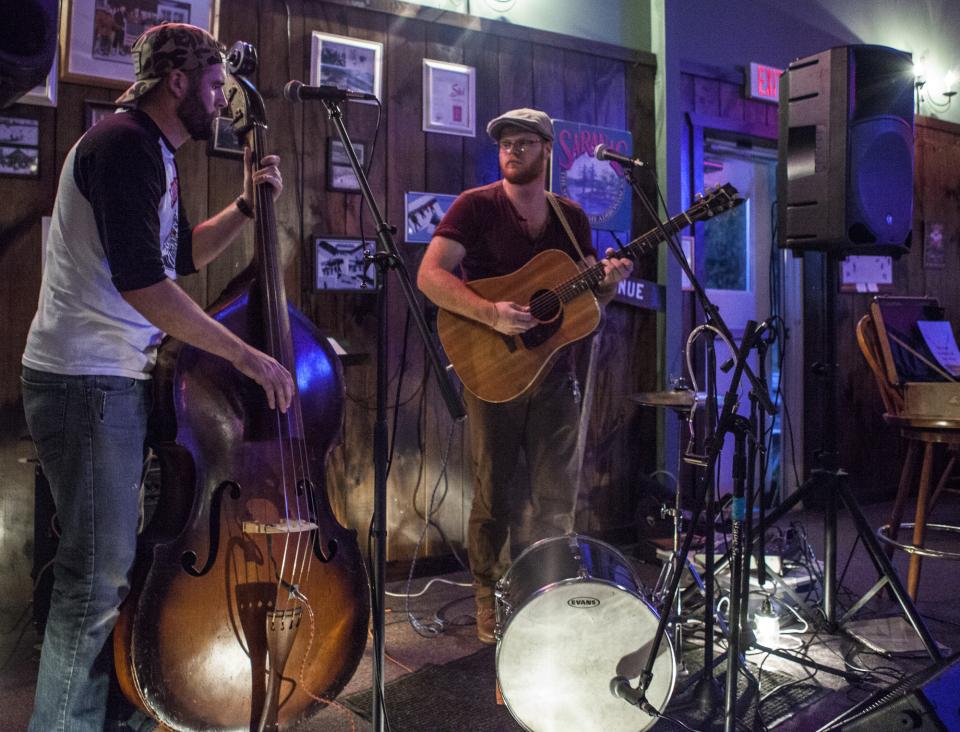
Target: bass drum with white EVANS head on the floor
(570, 618)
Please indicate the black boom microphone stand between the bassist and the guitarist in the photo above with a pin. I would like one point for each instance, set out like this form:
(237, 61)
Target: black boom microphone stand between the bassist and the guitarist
(385, 259)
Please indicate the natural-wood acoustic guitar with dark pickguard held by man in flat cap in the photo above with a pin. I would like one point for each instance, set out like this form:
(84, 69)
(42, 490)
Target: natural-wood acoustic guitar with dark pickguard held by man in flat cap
(560, 294)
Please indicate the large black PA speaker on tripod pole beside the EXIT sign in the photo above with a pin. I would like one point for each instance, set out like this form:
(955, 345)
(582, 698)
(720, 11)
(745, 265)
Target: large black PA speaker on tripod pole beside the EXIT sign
(845, 173)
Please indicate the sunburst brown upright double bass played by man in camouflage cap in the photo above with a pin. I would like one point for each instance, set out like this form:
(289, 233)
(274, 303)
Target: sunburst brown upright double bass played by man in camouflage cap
(250, 602)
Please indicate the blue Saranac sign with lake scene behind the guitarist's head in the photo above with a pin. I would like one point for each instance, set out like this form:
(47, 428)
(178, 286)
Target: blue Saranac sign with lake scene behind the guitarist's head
(600, 187)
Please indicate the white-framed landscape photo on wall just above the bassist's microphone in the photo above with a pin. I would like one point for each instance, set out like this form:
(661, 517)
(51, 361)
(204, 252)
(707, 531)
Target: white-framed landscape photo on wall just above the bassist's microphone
(347, 63)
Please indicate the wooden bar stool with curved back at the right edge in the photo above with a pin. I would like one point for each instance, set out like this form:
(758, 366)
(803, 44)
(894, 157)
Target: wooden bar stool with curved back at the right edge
(922, 434)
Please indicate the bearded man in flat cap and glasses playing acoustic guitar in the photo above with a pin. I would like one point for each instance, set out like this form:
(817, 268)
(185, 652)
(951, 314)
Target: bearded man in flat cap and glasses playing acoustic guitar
(492, 231)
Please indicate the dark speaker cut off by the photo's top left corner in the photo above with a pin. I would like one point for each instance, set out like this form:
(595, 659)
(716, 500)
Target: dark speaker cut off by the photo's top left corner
(28, 41)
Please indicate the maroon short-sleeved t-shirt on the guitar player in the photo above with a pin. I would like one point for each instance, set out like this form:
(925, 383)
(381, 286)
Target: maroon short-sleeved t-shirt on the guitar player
(489, 227)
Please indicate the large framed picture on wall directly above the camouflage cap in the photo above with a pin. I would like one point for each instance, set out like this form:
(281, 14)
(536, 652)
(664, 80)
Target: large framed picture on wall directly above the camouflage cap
(97, 35)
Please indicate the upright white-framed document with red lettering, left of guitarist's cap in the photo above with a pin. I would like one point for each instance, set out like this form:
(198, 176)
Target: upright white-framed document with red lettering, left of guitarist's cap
(449, 98)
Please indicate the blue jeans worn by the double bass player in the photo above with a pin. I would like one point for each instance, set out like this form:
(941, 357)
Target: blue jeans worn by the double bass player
(89, 432)
